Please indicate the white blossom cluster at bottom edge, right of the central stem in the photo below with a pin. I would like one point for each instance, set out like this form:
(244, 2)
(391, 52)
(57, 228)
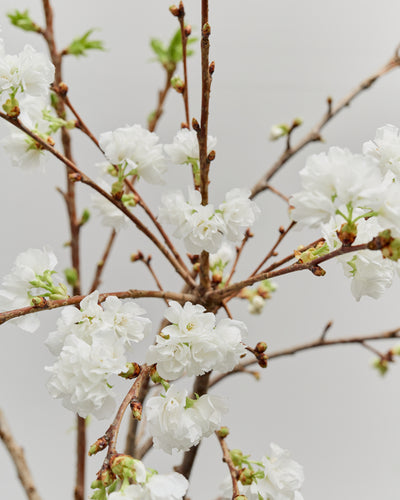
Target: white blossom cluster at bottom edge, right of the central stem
(278, 478)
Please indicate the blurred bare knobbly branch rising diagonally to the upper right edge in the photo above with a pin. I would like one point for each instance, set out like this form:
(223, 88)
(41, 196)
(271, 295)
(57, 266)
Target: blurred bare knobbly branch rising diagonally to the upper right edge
(315, 133)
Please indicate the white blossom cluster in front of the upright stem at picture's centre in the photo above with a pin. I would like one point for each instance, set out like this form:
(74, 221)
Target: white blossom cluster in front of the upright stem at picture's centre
(201, 226)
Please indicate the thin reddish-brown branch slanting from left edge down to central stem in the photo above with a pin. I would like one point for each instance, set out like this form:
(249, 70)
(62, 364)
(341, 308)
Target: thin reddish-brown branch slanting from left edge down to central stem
(79, 176)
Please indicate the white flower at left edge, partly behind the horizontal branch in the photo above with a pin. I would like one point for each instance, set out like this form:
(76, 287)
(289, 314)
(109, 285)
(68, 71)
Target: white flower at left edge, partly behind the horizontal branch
(17, 290)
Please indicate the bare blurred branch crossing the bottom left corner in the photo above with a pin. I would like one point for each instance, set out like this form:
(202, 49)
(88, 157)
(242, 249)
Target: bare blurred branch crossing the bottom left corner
(17, 454)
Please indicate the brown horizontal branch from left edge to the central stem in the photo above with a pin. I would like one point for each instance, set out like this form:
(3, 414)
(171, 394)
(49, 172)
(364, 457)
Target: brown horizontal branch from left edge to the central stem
(76, 299)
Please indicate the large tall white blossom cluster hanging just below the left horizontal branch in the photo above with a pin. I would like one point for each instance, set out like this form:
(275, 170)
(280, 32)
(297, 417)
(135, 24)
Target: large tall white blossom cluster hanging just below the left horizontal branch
(91, 345)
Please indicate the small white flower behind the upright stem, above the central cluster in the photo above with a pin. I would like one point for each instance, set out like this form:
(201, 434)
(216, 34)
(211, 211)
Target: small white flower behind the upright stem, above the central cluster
(185, 147)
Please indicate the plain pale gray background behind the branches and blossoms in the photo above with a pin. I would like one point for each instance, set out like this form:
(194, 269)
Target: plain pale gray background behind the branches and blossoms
(274, 61)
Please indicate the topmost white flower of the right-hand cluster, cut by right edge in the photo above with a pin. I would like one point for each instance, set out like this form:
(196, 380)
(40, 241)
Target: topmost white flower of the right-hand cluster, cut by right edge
(385, 148)
